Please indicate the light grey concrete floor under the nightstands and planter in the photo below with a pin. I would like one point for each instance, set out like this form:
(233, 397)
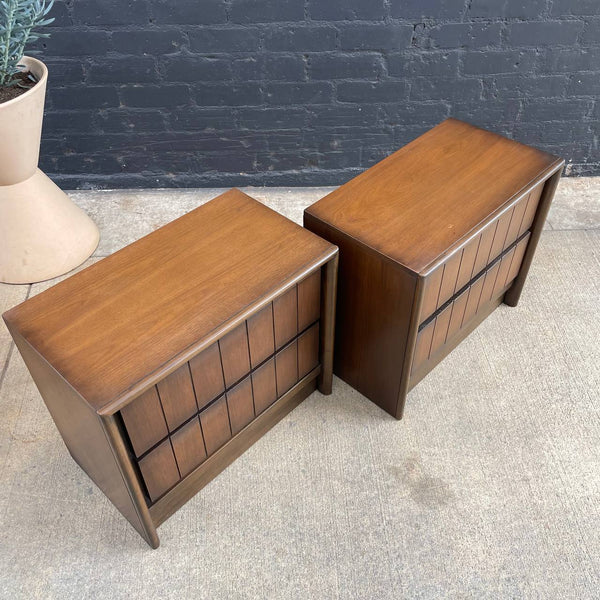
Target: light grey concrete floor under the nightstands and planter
(489, 488)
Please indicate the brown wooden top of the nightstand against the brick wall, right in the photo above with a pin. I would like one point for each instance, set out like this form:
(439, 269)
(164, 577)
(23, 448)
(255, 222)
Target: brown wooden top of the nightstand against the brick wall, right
(418, 203)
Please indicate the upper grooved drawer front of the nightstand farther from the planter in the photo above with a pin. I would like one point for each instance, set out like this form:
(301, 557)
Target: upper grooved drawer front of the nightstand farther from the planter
(469, 261)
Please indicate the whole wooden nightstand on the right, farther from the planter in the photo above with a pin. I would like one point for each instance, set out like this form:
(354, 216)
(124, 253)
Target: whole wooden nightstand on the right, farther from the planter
(432, 239)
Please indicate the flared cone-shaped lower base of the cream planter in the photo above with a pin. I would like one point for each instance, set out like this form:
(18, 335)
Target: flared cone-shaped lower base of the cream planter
(42, 233)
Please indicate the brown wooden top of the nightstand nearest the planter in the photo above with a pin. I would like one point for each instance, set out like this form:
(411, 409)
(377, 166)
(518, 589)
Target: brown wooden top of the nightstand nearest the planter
(119, 325)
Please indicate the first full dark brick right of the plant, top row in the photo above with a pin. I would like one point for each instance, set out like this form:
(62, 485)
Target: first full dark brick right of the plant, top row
(110, 12)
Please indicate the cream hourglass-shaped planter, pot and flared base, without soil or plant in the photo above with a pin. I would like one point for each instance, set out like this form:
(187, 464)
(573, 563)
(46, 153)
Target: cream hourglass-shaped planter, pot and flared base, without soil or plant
(42, 233)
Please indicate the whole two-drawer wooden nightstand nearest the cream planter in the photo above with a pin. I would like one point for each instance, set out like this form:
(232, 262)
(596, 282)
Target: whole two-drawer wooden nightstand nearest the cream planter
(162, 363)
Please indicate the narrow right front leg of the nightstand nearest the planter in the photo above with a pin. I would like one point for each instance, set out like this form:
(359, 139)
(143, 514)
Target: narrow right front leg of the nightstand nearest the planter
(328, 300)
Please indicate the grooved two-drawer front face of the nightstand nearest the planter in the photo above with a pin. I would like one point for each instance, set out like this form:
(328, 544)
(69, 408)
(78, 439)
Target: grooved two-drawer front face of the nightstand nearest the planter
(176, 425)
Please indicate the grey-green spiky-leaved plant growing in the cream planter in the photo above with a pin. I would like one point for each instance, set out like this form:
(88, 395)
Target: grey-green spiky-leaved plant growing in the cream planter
(19, 22)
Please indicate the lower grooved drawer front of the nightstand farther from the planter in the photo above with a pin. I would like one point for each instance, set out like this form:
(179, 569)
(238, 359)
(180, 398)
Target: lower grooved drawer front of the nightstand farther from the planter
(443, 328)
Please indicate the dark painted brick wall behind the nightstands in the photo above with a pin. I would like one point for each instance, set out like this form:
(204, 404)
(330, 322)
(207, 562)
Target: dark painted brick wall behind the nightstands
(307, 92)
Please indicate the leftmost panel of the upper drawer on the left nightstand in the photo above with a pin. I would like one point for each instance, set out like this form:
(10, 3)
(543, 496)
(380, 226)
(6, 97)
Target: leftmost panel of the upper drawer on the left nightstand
(144, 420)
